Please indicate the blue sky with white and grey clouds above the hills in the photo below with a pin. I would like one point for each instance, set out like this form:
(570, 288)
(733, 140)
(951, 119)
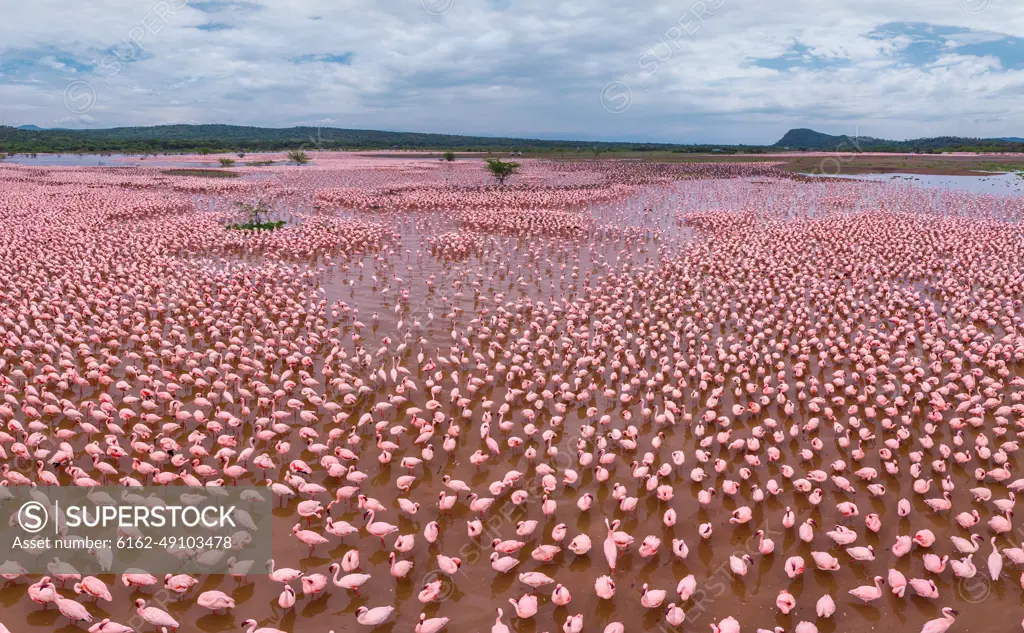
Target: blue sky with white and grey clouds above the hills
(705, 71)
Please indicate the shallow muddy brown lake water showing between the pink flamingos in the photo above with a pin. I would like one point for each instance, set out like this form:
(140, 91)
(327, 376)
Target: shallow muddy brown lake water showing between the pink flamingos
(443, 300)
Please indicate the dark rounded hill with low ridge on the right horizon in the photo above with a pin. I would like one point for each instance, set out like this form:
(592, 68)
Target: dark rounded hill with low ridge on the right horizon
(804, 139)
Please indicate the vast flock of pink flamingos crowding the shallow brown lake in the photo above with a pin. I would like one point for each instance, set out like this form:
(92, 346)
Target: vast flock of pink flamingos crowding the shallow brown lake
(609, 397)
